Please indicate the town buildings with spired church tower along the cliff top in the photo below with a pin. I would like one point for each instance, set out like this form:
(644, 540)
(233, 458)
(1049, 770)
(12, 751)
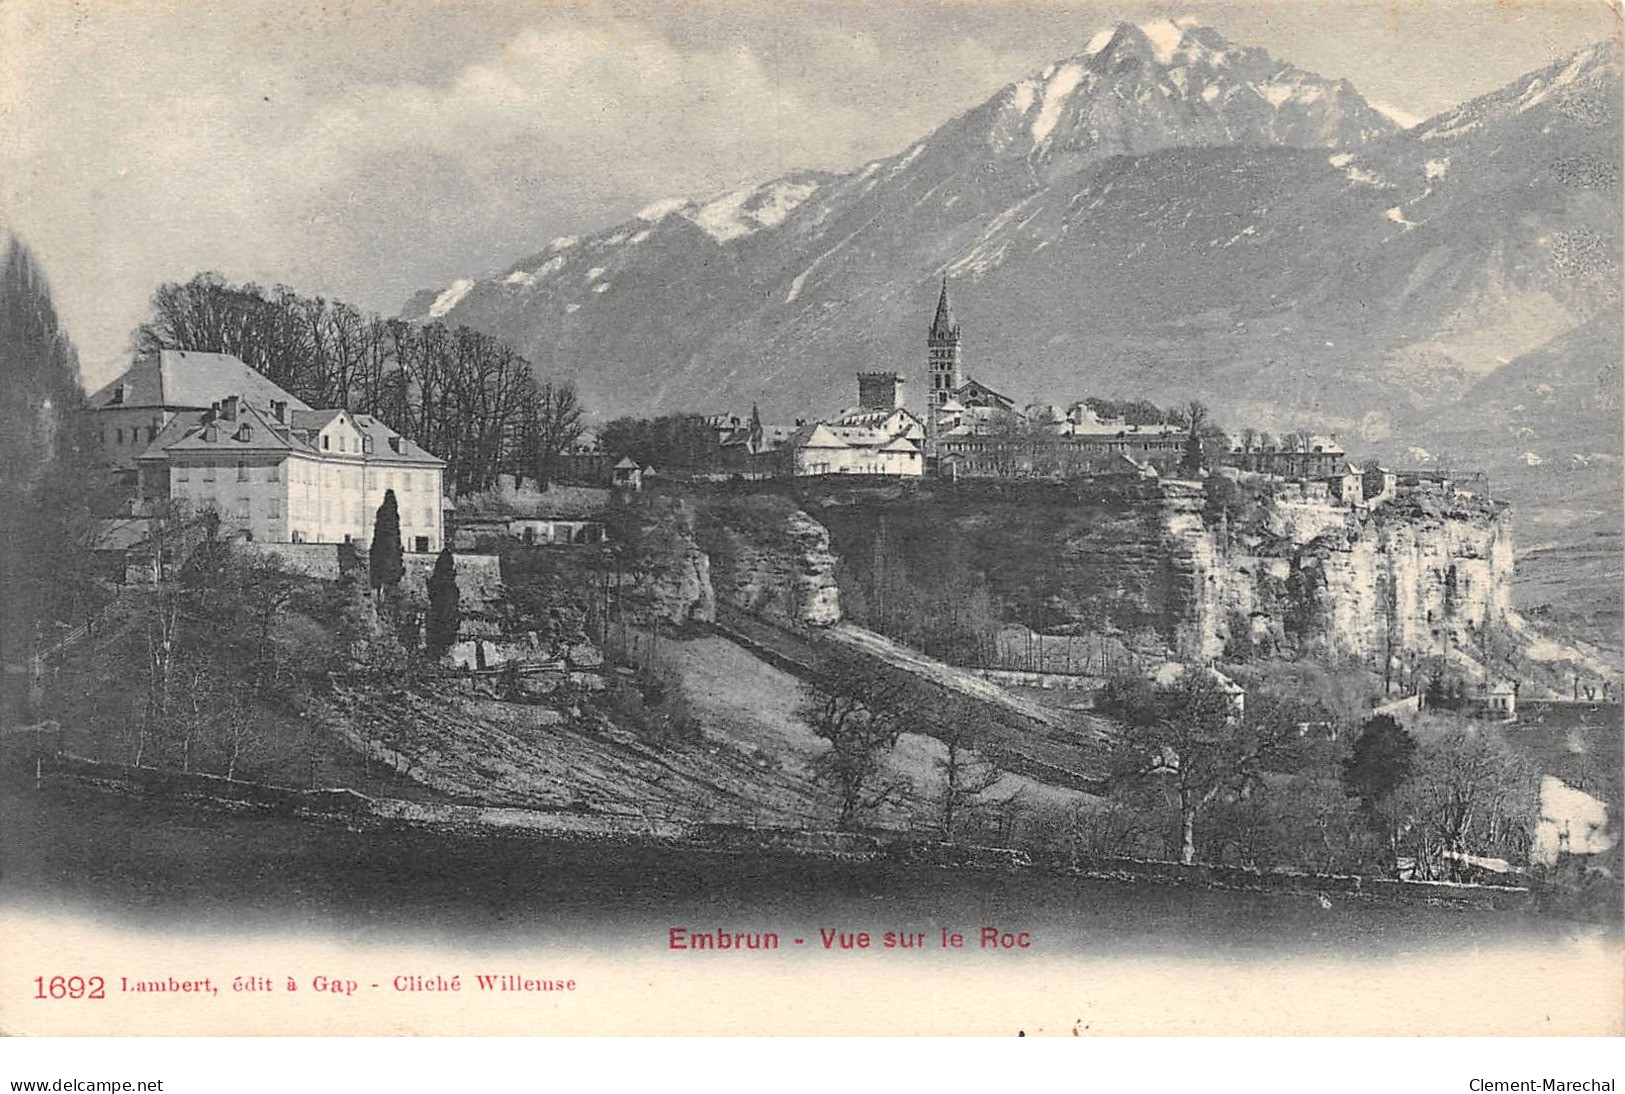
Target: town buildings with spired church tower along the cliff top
(969, 430)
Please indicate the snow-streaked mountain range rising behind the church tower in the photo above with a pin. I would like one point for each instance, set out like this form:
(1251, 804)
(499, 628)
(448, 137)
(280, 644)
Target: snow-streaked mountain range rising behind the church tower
(1164, 214)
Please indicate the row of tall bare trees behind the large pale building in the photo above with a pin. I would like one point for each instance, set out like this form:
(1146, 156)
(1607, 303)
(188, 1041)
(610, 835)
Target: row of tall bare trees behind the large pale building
(464, 396)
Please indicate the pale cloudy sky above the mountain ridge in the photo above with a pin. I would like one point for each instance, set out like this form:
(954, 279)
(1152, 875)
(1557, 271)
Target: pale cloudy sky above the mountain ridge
(370, 149)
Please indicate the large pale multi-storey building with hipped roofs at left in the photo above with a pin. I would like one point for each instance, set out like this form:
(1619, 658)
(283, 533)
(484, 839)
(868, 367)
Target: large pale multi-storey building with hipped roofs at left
(209, 432)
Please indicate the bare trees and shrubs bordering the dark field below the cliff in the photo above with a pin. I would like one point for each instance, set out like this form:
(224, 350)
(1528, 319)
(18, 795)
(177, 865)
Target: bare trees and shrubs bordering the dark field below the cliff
(1192, 775)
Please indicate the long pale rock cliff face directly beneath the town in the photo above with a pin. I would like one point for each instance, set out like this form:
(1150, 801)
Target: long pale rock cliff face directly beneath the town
(1216, 570)
